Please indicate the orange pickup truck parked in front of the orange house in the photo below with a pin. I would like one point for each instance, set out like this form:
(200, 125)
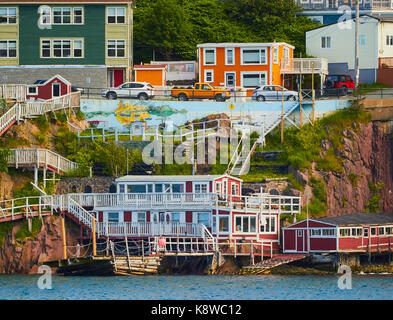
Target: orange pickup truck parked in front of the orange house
(200, 91)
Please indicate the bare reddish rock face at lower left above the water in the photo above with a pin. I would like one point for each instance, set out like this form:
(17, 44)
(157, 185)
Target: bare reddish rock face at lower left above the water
(47, 246)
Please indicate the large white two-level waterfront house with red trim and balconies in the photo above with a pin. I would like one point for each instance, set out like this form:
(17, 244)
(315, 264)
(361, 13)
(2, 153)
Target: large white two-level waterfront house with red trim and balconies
(187, 206)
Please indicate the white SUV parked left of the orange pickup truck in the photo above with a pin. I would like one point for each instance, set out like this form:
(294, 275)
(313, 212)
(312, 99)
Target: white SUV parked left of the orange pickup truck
(140, 90)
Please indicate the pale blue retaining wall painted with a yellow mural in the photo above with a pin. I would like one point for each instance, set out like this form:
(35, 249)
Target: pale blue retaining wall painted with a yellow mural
(121, 114)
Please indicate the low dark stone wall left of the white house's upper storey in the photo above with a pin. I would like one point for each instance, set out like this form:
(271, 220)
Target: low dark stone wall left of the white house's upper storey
(80, 185)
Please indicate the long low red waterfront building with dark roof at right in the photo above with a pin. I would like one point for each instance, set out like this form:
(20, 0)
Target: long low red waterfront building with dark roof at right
(360, 232)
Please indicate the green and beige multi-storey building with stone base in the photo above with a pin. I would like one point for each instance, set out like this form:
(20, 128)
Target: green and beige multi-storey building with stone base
(88, 42)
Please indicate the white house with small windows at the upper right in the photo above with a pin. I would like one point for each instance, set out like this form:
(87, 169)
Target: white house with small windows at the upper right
(336, 42)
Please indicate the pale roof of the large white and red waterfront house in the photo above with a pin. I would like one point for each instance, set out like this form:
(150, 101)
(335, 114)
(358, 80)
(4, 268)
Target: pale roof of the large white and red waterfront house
(177, 178)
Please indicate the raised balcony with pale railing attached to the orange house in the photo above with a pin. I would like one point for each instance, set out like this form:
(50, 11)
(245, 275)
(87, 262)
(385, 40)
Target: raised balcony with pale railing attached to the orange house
(304, 66)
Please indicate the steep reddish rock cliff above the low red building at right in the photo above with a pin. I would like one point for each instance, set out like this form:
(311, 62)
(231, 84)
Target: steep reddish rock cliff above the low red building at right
(367, 158)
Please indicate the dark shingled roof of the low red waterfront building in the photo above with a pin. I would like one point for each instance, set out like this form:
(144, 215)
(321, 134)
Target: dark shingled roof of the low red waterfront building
(360, 218)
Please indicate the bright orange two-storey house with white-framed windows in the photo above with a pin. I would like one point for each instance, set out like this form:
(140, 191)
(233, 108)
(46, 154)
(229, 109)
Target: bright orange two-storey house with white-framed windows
(245, 65)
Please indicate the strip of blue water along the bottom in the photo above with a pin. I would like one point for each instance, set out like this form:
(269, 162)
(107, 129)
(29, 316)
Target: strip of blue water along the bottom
(270, 287)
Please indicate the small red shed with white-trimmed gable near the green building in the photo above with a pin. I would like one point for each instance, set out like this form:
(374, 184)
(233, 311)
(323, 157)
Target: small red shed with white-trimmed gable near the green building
(47, 89)
